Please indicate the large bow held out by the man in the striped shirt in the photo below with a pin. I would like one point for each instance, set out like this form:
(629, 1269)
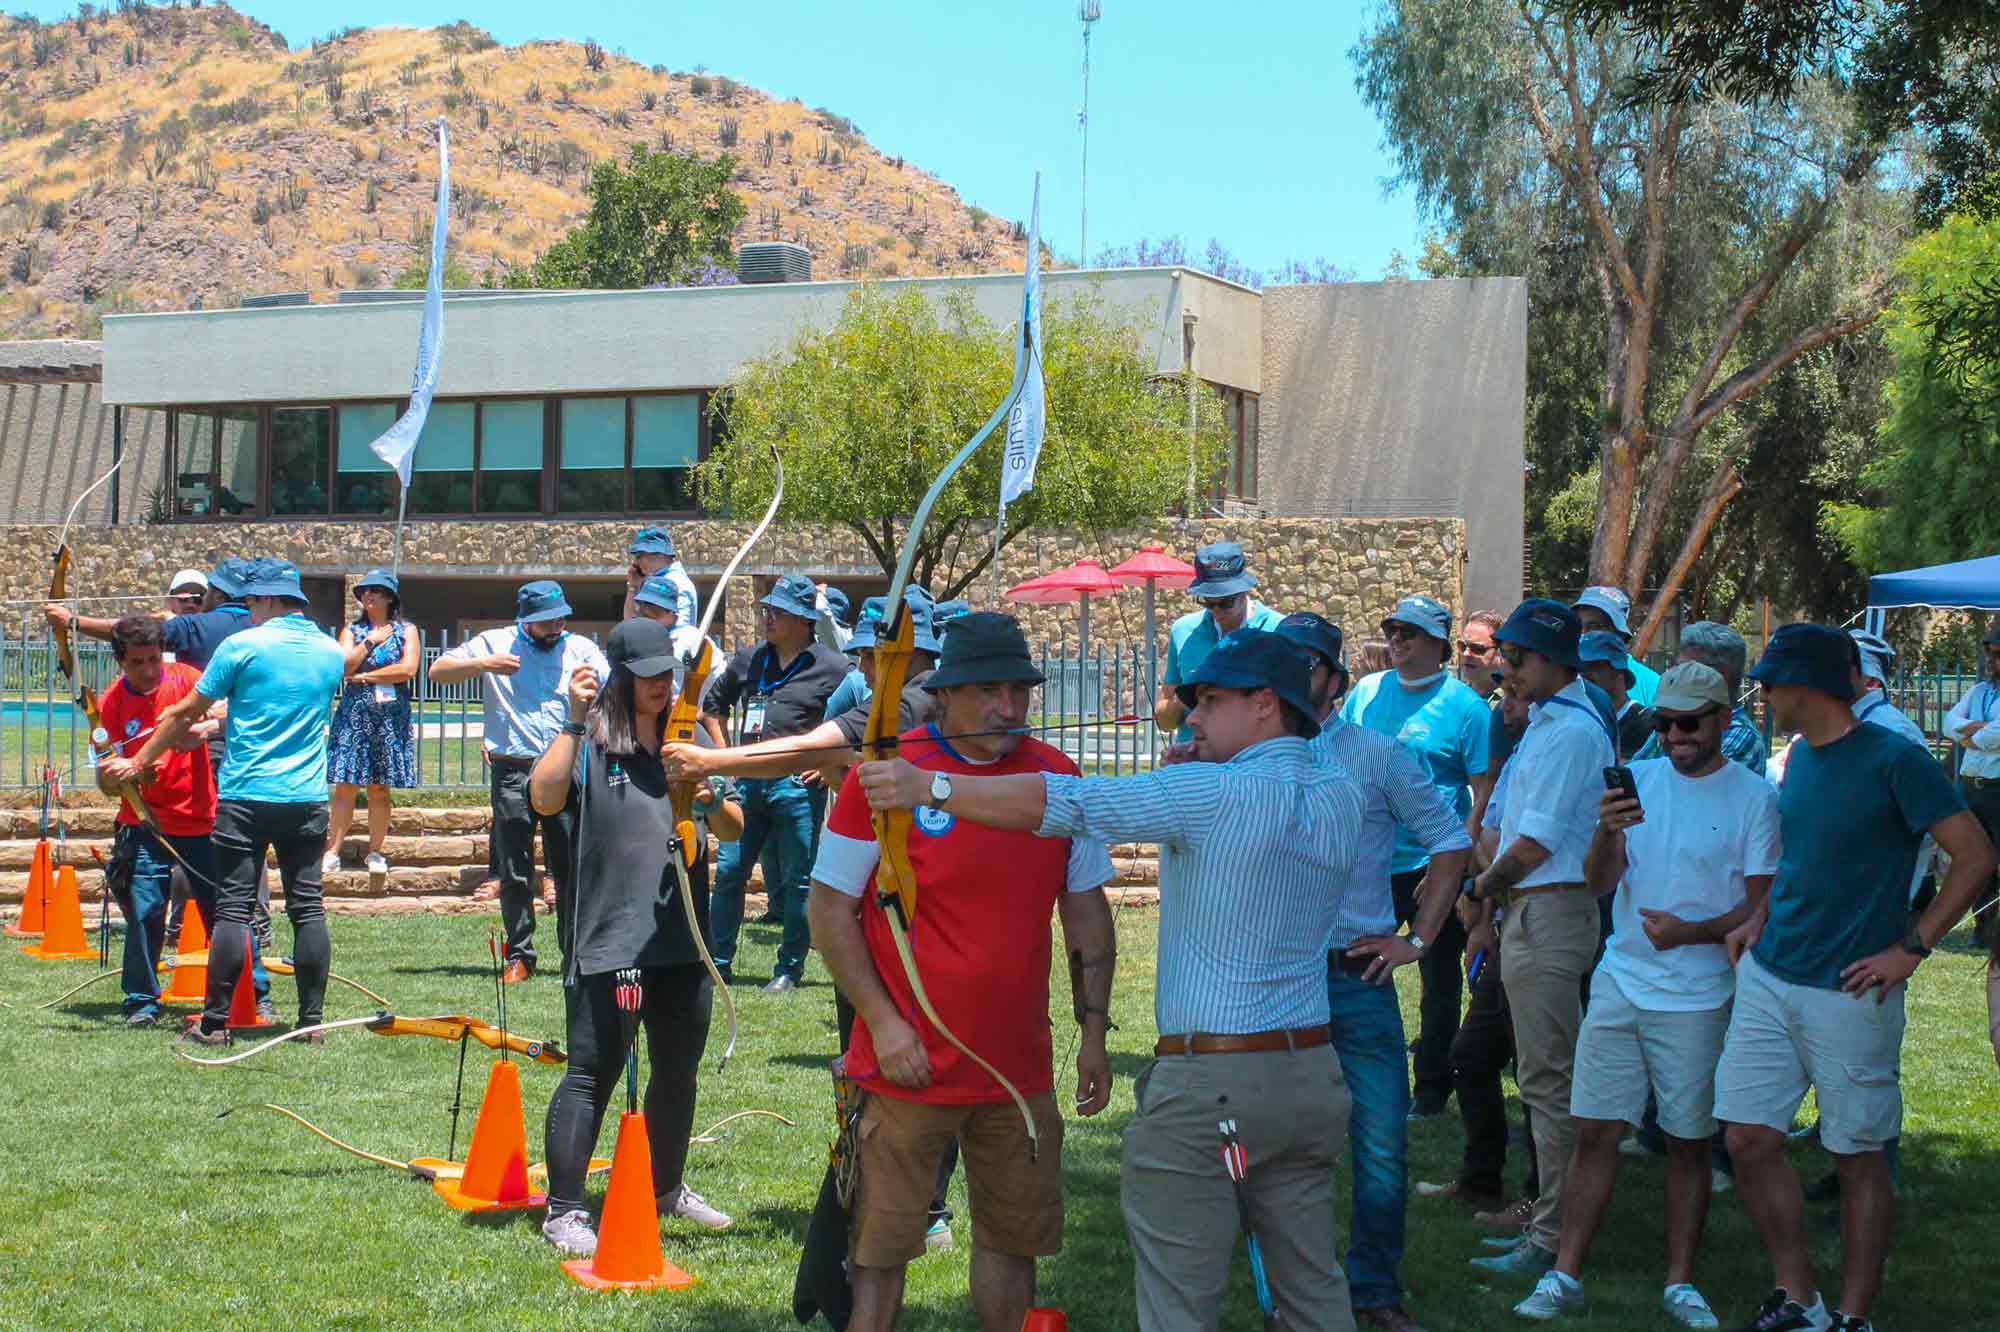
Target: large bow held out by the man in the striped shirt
(893, 651)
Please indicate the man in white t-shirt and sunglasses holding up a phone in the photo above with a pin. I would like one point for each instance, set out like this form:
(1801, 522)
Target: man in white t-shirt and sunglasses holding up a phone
(1681, 861)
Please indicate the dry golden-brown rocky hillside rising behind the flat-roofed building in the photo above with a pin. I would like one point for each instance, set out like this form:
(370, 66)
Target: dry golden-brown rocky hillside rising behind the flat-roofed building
(153, 157)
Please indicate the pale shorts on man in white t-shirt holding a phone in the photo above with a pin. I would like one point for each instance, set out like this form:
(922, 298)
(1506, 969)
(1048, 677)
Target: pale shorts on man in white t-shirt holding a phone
(1627, 1051)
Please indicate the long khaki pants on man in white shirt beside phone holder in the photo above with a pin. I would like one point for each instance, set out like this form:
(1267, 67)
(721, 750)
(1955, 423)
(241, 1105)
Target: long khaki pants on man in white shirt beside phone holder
(1547, 945)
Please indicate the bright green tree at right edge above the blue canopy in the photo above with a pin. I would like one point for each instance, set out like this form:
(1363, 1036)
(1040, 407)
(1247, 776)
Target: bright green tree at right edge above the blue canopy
(1929, 483)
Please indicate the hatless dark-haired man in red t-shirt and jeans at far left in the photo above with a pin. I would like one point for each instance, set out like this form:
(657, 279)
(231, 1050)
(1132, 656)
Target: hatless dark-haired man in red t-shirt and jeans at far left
(181, 795)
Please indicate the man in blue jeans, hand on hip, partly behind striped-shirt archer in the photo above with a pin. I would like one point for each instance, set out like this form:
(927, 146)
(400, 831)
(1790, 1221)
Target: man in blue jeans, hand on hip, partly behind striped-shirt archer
(1363, 957)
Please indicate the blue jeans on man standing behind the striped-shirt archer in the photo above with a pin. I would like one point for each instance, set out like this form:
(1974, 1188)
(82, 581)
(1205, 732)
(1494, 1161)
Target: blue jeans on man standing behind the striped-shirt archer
(1369, 1039)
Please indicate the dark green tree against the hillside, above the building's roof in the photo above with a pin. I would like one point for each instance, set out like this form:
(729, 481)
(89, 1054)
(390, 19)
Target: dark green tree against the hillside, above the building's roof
(657, 221)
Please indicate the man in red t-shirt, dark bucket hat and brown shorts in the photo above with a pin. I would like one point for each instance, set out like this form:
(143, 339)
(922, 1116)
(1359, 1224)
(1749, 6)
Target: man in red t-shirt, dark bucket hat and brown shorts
(983, 949)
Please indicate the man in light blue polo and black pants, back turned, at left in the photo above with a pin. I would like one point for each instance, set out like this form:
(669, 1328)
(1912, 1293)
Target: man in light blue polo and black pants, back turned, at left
(277, 679)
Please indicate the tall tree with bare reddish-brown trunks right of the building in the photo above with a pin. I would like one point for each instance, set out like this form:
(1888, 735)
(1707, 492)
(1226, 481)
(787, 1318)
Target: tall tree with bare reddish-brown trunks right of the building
(1687, 217)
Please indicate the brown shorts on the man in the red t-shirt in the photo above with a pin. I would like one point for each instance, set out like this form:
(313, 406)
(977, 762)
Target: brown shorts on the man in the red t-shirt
(1017, 1203)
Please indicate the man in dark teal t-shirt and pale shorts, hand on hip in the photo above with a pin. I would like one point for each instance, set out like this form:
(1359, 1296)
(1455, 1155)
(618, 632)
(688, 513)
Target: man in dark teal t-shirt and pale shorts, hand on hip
(1821, 991)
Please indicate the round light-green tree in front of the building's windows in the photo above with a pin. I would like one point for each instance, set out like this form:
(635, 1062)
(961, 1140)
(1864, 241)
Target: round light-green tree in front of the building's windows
(869, 411)
